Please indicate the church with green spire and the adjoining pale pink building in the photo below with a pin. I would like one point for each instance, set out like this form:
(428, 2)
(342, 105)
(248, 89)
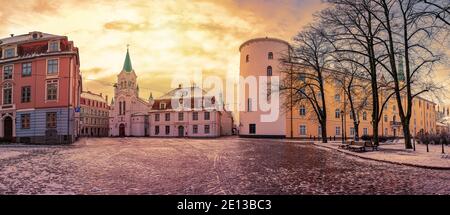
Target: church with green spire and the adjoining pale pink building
(191, 115)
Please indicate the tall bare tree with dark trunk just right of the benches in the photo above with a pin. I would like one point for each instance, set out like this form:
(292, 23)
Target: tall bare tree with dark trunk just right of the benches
(352, 28)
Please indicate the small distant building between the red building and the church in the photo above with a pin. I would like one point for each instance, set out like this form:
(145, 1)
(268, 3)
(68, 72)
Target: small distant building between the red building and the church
(94, 115)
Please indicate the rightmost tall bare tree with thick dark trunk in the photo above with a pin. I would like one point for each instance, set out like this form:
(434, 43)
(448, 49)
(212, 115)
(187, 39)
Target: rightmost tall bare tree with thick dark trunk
(407, 34)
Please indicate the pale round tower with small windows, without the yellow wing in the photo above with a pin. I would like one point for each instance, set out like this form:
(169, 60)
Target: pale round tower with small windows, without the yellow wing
(259, 59)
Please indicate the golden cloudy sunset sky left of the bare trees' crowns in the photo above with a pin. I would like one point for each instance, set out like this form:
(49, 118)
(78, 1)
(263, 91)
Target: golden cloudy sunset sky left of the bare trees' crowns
(166, 37)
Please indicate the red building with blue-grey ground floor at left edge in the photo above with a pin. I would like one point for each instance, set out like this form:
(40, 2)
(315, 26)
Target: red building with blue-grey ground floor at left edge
(41, 86)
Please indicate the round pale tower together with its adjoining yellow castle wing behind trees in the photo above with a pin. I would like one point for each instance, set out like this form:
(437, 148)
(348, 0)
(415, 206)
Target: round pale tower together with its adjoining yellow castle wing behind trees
(260, 57)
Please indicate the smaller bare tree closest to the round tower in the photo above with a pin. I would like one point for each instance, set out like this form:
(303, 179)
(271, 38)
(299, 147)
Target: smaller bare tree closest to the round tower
(305, 73)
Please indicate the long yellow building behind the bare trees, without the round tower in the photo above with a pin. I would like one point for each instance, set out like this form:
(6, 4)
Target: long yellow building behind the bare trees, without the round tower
(303, 123)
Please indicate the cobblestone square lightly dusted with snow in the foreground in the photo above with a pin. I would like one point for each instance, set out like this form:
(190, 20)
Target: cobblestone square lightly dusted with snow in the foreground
(204, 166)
